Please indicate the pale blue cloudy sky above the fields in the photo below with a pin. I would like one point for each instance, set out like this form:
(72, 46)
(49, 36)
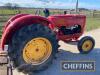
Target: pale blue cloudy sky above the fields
(61, 4)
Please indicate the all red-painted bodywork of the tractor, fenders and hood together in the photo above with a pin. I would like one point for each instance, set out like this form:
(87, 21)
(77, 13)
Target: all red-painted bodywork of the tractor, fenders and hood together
(18, 21)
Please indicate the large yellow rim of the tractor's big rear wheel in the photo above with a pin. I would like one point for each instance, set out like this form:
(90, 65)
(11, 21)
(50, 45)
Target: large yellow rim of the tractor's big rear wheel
(37, 51)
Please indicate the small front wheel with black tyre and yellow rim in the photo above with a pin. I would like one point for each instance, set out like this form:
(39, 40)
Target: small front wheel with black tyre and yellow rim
(86, 44)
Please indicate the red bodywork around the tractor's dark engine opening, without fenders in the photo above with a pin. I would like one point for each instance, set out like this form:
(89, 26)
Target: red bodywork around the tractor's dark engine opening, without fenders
(68, 20)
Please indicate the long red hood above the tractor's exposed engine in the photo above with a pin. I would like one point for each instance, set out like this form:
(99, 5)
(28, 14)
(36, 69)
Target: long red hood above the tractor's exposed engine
(67, 20)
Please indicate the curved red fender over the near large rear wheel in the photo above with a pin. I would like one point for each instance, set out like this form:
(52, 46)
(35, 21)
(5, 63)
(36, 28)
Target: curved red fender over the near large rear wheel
(19, 23)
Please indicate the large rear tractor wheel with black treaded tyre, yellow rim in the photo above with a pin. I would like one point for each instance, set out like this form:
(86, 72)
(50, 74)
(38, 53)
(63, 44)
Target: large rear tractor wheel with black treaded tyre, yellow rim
(33, 48)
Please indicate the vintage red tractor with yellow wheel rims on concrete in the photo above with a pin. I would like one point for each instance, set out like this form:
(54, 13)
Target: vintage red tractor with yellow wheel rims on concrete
(33, 40)
